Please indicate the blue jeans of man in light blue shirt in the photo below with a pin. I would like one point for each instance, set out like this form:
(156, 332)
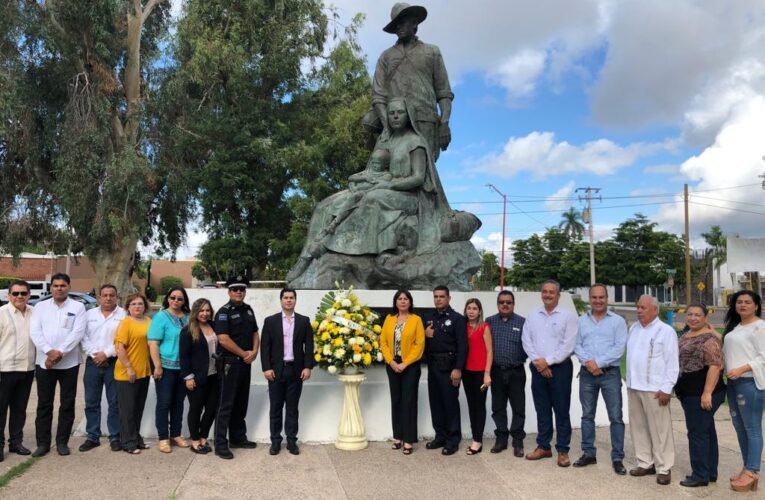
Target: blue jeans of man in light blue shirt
(610, 385)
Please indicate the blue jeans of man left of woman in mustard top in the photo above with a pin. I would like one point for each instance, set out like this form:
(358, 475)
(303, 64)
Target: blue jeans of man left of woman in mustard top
(95, 380)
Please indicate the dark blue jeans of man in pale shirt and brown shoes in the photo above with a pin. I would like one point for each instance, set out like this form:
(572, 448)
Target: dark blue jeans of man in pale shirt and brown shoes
(553, 395)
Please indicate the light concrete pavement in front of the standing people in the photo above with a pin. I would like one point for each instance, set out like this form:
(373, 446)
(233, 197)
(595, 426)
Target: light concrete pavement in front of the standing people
(323, 472)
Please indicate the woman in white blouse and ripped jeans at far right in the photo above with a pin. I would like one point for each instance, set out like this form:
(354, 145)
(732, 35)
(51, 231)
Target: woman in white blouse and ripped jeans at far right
(744, 349)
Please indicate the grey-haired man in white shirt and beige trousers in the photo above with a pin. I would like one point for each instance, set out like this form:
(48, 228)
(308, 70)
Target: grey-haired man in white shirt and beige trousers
(652, 369)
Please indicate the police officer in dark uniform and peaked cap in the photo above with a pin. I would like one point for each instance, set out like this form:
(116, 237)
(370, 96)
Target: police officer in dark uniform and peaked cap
(238, 344)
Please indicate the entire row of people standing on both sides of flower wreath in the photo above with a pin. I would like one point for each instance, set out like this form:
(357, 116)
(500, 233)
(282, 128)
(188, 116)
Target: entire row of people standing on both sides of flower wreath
(206, 357)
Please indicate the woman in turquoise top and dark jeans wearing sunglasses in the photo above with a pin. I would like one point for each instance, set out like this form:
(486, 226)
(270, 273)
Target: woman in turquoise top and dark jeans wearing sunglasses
(164, 336)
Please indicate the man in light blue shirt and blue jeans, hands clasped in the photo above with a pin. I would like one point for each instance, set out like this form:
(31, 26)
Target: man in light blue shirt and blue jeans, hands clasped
(600, 344)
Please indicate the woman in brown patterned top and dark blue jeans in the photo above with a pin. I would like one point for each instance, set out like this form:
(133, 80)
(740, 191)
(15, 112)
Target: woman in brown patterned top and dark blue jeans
(701, 391)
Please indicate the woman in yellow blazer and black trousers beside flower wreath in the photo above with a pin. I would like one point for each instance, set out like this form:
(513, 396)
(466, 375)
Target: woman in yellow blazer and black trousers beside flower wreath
(402, 342)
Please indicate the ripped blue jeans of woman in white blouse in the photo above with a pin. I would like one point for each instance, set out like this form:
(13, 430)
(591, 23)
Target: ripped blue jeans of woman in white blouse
(746, 407)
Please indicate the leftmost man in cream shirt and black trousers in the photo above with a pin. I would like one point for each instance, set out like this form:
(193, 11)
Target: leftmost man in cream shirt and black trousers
(17, 364)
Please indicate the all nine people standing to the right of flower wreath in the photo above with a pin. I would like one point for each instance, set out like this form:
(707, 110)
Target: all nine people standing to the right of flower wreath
(464, 349)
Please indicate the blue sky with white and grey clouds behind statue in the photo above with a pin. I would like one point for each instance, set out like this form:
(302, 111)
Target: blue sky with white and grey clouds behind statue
(636, 98)
